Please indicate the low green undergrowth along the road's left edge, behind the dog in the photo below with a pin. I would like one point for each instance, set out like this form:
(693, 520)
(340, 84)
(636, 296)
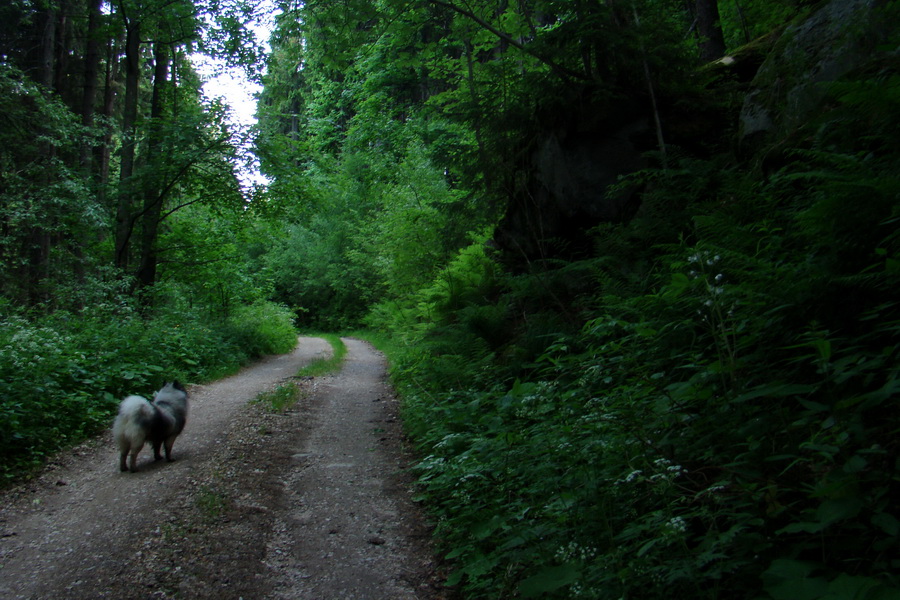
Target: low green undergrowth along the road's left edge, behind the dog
(62, 375)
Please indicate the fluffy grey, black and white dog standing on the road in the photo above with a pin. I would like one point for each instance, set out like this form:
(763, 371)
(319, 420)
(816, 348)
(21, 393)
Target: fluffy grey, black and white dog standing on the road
(158, 422)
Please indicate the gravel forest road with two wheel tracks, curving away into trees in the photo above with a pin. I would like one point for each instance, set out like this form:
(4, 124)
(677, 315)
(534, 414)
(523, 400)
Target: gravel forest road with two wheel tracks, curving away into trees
(310, 504)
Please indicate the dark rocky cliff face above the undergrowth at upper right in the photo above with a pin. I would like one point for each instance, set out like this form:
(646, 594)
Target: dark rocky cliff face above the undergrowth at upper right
(565, 188)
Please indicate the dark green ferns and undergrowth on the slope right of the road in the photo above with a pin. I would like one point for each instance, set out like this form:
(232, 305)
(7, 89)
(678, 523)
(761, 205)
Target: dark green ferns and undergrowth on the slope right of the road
(707, 408)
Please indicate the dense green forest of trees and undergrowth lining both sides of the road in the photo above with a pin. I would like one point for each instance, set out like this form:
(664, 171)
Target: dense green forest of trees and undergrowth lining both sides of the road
(634, 263)
